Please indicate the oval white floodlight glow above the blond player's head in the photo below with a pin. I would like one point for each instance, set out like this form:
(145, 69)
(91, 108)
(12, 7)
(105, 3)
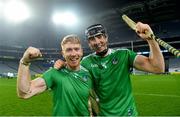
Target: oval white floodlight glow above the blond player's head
(65, 18)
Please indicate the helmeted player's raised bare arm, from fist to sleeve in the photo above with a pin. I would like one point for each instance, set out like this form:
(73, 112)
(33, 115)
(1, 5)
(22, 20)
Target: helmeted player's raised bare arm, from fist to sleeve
(155, 62)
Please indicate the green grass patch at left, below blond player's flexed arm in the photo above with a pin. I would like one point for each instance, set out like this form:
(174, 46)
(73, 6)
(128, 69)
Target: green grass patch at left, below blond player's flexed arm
(11, 105)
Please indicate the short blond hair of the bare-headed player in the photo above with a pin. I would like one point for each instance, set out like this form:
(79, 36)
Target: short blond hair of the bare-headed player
(70, 38)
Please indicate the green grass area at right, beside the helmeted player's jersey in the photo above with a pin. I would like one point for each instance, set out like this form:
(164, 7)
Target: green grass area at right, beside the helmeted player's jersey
(157, 95)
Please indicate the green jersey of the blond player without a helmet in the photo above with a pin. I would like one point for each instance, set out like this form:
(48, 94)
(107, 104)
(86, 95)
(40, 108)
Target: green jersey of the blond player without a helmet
(70, 89)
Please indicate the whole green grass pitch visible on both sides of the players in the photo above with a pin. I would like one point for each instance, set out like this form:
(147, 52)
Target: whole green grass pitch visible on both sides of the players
(155, 95)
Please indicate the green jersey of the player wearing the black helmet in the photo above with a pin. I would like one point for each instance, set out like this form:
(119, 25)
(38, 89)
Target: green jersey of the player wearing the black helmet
(111, 79)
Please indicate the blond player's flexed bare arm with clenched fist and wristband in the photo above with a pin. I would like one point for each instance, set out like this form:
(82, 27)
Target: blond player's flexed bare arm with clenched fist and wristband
(26, 87)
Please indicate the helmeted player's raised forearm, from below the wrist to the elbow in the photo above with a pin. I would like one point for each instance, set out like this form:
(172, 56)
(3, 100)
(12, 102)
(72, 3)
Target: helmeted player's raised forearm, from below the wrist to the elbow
(156, 58)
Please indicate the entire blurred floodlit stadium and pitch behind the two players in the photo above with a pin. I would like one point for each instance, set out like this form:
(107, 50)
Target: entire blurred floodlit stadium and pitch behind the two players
(42, 26)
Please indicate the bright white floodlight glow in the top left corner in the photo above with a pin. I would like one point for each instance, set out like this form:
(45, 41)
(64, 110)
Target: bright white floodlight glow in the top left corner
(16, 11)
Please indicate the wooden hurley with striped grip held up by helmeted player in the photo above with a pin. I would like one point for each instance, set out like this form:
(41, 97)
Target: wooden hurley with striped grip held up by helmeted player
(171, 49)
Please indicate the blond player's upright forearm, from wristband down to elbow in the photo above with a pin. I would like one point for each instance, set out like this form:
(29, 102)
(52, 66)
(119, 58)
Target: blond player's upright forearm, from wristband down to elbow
(23, 80)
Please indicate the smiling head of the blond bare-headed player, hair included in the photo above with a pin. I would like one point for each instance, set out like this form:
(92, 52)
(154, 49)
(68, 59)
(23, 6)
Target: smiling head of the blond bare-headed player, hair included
(72, 52)
